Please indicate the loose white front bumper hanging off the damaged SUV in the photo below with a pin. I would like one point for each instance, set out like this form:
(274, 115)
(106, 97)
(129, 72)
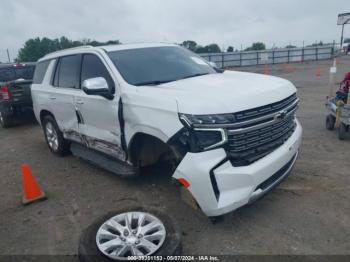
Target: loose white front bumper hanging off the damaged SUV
(219, 188)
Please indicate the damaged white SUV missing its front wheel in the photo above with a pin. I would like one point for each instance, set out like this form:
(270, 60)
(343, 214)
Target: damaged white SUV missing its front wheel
(233, 136)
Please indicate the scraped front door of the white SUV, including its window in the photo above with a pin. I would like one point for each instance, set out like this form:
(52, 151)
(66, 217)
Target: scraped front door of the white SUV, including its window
(99, 123)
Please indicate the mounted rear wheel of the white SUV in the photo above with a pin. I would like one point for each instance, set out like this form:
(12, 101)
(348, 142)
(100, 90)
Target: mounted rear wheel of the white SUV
(59, 146)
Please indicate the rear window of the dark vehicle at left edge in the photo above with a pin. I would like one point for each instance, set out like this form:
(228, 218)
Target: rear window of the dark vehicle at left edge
(13, 73)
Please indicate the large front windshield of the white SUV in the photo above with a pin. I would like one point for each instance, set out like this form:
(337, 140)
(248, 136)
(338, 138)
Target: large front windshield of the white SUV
(156, 65)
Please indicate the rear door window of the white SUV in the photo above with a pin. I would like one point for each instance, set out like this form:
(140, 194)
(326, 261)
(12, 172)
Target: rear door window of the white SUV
(67, 72)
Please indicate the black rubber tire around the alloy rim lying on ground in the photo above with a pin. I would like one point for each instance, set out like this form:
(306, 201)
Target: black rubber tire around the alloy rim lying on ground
(89, 252)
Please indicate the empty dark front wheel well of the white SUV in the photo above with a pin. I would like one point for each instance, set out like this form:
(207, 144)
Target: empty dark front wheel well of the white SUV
(145, 150)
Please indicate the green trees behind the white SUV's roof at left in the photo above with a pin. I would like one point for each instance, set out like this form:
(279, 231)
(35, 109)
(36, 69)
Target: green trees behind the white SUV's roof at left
(36, 48)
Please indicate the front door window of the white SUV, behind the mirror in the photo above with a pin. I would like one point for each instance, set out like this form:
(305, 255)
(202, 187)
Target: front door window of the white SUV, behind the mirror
(93, 67)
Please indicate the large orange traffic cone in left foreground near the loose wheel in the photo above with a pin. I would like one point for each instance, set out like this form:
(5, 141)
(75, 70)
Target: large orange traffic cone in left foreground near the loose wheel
(32, 191)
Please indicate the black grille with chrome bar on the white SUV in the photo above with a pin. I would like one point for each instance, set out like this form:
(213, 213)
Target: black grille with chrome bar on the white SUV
(261, 131)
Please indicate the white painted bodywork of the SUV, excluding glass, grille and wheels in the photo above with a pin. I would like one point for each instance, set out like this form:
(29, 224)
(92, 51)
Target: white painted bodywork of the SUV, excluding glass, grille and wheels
(154, 110)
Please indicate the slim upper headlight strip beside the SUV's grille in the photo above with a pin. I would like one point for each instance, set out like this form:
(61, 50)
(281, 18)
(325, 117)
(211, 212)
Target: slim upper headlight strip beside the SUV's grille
(198, 120)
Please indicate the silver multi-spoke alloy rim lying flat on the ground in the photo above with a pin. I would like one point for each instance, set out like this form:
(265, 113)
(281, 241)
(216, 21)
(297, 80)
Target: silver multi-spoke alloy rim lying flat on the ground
(130, 234)
